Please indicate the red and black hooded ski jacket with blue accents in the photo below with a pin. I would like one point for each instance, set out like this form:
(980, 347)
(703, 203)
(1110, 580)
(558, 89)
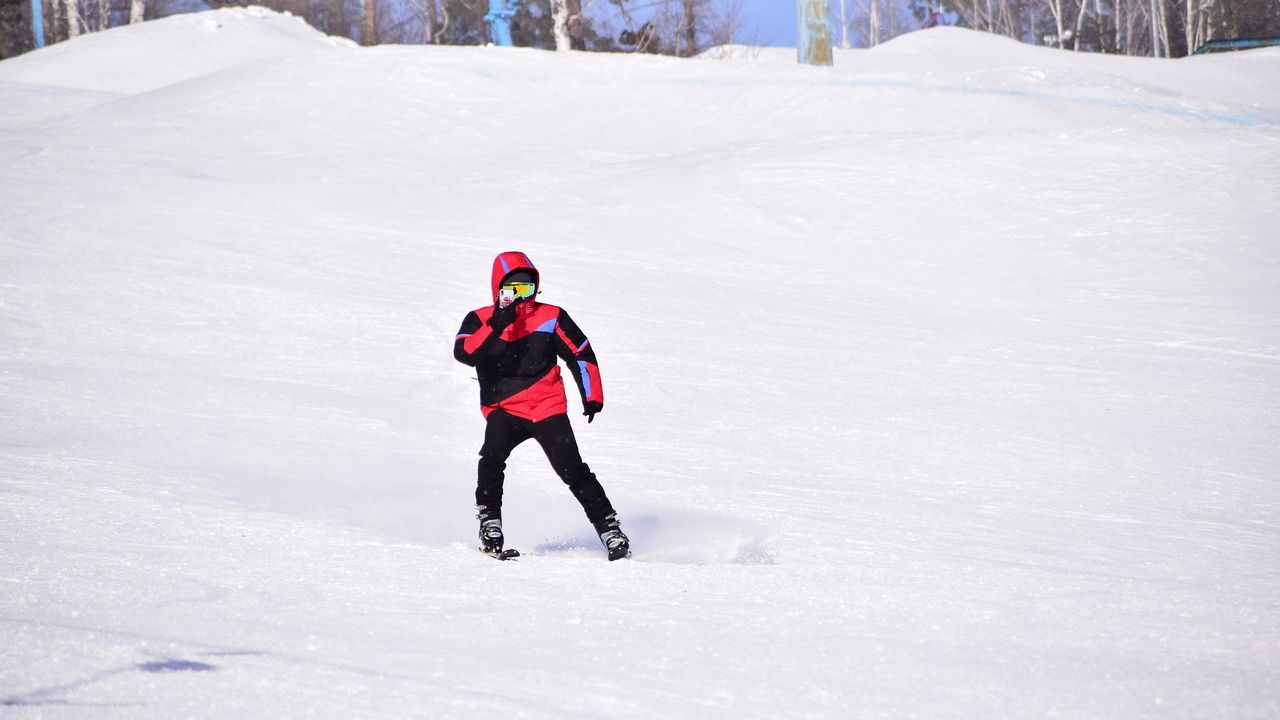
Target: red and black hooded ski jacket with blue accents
(518, 368)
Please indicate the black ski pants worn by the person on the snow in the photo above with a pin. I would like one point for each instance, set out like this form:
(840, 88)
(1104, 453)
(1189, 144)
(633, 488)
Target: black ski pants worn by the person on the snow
(504, 432)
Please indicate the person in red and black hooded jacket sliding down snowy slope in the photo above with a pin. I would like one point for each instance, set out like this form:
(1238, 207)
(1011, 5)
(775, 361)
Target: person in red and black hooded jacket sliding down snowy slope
(514, 345)
